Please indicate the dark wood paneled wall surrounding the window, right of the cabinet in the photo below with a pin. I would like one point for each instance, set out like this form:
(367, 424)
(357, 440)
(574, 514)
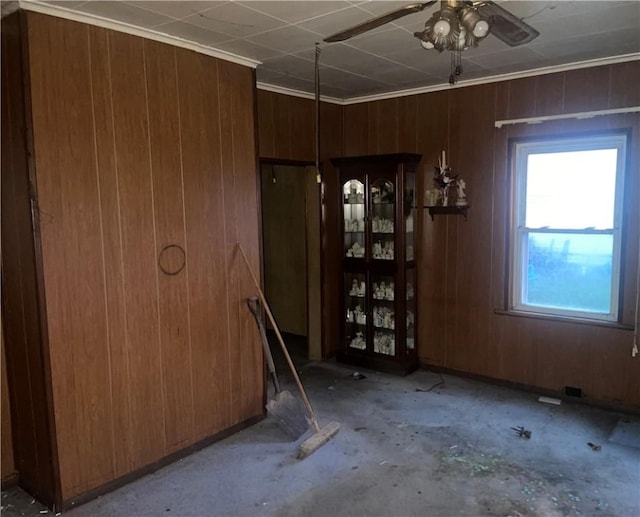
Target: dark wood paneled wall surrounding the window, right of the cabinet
(462, 264)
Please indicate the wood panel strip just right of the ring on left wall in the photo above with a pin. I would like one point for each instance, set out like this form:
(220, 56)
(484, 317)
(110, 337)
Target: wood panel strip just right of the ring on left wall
(205, 230)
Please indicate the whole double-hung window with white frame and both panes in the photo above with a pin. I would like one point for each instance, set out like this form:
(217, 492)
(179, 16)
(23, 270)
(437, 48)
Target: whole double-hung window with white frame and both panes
(566, 240)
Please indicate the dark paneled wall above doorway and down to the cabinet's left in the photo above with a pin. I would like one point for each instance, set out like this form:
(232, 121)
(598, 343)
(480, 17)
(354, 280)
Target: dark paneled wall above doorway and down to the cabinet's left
(286, 129)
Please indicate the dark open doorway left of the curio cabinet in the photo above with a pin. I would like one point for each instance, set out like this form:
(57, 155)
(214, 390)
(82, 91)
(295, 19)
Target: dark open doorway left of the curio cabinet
(290, 202)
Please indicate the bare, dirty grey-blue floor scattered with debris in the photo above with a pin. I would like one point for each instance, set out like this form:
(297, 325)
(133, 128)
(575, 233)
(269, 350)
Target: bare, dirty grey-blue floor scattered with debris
(423, 445)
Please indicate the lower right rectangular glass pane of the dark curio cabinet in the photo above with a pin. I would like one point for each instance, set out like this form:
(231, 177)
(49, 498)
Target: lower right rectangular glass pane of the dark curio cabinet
(383, 314)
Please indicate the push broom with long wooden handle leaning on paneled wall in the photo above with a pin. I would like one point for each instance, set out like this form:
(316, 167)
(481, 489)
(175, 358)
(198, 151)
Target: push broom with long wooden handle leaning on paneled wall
(321, 435)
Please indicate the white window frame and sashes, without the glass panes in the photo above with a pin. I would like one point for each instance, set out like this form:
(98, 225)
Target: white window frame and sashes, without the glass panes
(519, 150)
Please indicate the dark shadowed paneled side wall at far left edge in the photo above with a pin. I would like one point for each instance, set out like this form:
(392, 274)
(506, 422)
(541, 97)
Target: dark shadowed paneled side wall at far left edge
(27, 360)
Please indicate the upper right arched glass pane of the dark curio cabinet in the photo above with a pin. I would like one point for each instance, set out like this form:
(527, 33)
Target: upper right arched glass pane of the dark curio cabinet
(382, 220)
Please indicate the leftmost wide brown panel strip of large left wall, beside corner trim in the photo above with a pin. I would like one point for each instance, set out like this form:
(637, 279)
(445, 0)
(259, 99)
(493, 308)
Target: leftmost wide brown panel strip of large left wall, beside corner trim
(71, 241)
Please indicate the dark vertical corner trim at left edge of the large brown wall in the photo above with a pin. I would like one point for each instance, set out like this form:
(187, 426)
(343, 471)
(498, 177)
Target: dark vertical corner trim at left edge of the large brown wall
(38, 262)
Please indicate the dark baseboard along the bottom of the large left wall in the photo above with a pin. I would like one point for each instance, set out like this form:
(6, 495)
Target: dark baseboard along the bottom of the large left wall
(148, 469)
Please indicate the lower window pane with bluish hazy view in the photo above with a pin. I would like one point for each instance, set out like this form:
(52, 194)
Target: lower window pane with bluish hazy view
(568, 271)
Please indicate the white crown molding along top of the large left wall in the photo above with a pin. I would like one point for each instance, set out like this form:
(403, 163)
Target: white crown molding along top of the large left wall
(98, 21)
